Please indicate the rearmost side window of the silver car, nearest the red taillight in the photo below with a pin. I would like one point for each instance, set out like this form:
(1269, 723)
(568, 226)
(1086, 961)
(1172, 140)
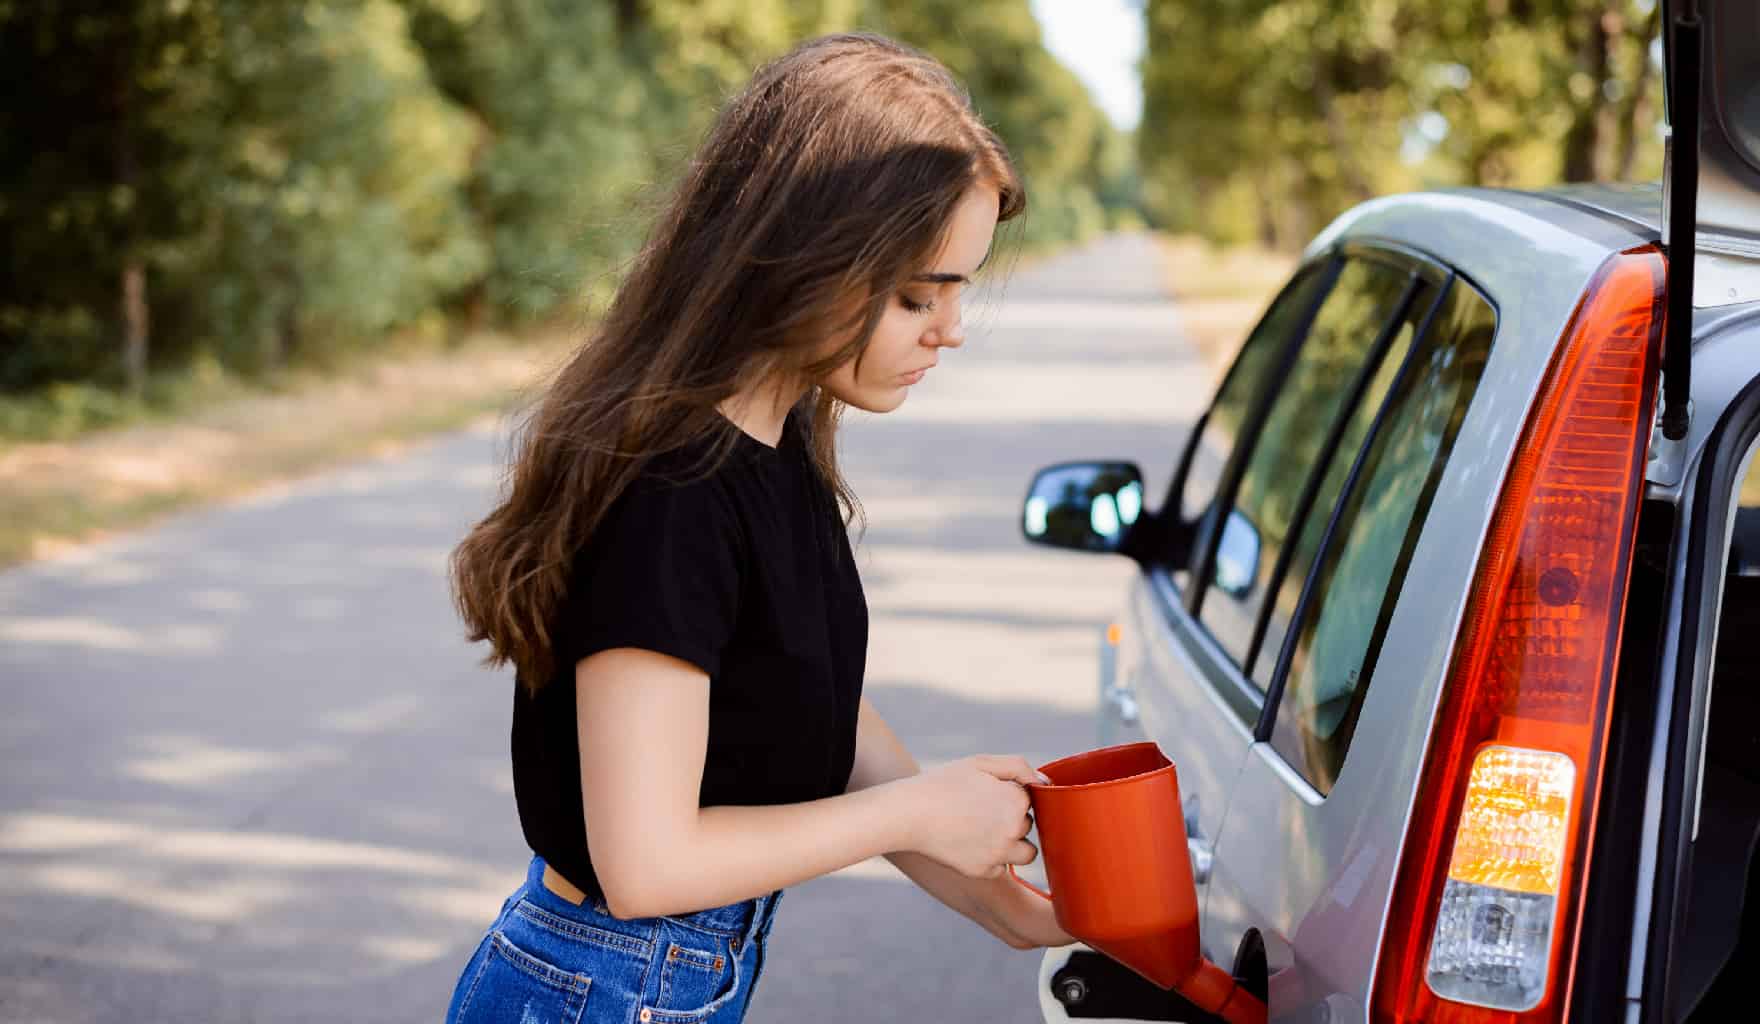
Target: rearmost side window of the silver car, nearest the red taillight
(1363, 562)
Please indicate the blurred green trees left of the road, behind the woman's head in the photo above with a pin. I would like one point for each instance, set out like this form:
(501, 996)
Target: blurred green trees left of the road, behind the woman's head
(235, 186)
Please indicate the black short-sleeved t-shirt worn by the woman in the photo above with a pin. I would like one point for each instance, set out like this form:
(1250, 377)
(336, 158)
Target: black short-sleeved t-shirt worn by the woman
(749, 576)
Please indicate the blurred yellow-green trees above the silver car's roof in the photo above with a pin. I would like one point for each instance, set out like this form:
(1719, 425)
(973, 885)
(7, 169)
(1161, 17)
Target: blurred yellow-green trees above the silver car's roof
(1265, 119)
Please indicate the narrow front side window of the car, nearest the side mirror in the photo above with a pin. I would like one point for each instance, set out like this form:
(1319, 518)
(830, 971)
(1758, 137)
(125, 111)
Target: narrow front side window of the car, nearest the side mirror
(1247, 379)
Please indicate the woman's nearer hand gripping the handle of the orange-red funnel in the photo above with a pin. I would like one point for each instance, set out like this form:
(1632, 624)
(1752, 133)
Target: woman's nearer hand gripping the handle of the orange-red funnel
(972, 814)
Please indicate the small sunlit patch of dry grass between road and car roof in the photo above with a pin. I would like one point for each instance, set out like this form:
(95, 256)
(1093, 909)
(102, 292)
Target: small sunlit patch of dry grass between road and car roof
(1221, 291)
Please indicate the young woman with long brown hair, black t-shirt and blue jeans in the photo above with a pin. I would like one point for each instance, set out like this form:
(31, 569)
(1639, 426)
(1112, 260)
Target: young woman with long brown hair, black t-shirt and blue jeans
(671, 576)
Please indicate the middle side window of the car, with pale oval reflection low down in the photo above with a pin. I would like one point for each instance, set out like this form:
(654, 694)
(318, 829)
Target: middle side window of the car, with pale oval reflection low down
(1342, 339)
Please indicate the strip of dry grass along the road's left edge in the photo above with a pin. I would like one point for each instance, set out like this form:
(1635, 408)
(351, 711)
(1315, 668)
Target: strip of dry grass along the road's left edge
(61, 494)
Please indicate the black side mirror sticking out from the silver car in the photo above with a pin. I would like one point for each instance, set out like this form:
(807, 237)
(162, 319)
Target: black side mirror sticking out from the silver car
(1083, 506)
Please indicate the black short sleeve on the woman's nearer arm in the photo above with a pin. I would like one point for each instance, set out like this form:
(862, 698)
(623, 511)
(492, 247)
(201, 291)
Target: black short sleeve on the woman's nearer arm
(663, 574)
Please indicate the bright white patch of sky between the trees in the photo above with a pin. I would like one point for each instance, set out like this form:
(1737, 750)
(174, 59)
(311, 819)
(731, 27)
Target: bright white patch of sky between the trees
(1101, 41)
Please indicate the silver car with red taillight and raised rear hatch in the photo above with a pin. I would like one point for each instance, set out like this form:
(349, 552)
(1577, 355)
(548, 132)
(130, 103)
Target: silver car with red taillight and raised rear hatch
(1451, 617)
